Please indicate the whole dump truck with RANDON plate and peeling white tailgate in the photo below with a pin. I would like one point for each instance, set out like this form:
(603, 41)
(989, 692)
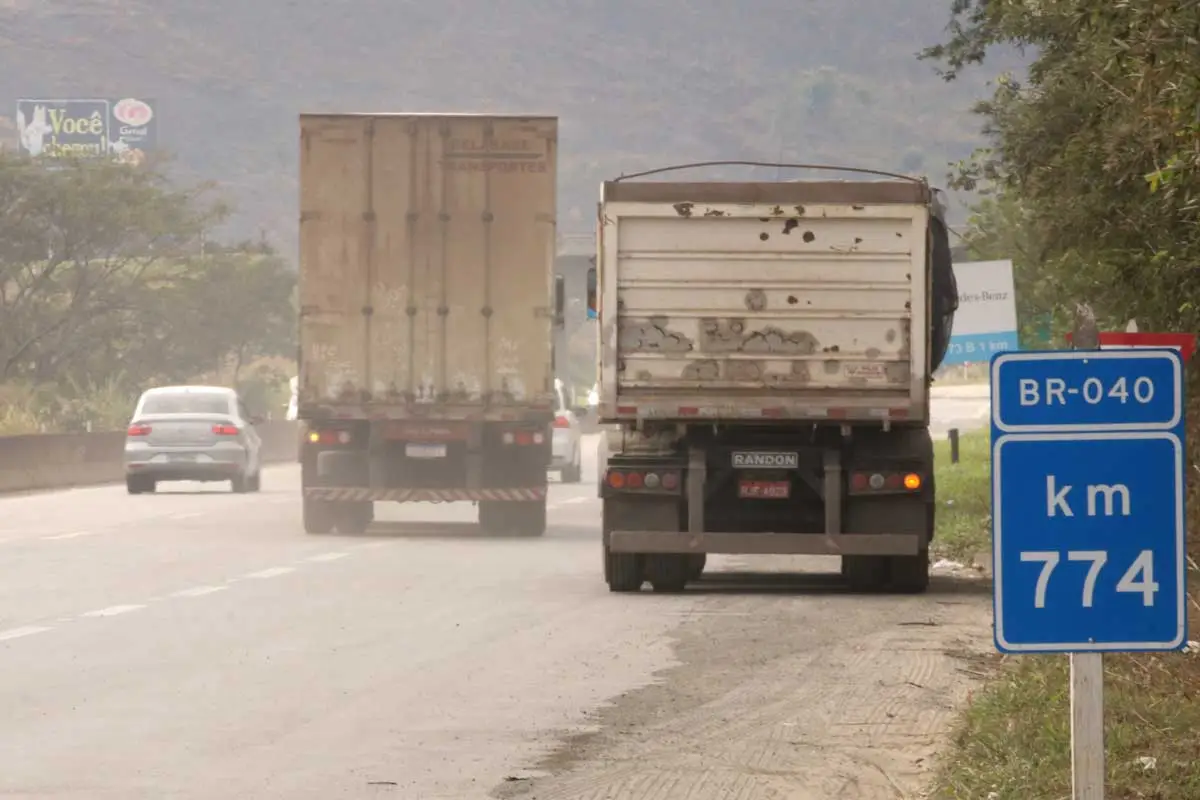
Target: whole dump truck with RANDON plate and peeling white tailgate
(766, 357)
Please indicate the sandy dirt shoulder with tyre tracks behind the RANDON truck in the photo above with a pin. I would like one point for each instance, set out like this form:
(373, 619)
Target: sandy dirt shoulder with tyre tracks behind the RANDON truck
(787, 687)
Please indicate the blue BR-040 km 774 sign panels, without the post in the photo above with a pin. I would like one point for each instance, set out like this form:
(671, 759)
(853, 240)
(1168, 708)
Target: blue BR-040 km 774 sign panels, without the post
(1088, 502)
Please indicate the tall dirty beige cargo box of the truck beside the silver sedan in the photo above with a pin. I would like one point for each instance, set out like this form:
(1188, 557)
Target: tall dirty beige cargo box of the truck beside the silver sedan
(427, 266)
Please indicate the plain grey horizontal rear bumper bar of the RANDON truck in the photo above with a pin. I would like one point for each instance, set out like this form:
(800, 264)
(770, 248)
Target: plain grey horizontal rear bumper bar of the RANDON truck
(655, 542)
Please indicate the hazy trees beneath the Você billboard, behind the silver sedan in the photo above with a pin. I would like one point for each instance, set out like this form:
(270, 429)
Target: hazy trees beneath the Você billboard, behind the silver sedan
(107, 287)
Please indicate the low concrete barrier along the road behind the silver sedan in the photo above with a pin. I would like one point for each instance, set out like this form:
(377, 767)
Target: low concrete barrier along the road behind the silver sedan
(57, 461)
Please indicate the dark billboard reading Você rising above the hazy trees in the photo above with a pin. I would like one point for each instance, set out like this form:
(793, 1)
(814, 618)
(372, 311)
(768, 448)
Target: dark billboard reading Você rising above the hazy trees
(125, 130)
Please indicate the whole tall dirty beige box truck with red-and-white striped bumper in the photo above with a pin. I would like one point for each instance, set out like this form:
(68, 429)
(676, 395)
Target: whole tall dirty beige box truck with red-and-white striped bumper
(428, 308)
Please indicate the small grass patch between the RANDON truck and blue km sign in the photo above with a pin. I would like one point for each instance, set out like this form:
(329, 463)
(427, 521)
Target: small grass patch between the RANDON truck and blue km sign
(964, 498)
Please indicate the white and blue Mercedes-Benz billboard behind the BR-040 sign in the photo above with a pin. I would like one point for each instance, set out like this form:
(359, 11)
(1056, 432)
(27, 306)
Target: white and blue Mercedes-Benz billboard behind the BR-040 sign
(987, 318)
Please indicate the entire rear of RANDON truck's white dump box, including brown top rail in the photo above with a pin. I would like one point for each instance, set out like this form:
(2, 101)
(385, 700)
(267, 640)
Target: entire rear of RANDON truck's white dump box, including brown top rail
(765, 302)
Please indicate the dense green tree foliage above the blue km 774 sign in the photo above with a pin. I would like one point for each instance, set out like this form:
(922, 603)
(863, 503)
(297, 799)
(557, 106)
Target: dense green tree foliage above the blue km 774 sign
(1100, 148)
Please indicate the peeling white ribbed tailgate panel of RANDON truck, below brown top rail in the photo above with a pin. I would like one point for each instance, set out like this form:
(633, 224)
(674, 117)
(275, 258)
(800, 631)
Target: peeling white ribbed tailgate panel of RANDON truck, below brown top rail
(748, 310)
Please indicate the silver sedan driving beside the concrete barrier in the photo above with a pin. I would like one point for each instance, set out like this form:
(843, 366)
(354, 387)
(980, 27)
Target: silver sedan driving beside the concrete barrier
(193, 434)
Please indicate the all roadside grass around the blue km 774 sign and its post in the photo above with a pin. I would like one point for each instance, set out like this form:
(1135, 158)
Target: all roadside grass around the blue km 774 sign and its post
(1013, 742)
